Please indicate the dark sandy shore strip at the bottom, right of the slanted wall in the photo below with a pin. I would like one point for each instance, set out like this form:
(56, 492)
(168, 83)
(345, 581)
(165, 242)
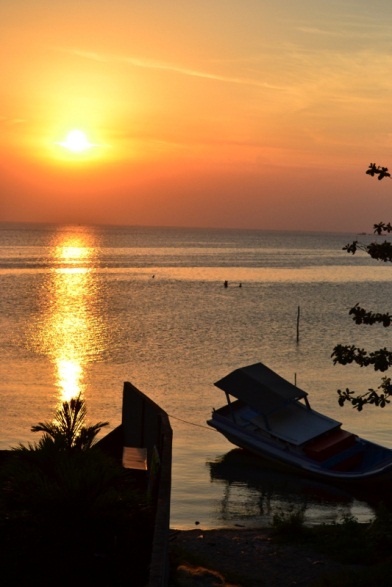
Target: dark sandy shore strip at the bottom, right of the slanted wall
(246, 558)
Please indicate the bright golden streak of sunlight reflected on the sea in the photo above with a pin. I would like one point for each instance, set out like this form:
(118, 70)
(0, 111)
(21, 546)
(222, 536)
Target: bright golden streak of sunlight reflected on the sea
(70, 332)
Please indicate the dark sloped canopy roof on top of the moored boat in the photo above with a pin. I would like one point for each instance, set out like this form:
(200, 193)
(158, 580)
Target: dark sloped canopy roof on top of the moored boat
(260, 388)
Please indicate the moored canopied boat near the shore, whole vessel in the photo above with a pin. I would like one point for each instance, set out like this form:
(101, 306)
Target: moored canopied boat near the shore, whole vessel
(272, 418)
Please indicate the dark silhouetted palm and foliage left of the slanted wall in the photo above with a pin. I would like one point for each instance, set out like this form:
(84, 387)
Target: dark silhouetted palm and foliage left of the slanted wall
(69, 511)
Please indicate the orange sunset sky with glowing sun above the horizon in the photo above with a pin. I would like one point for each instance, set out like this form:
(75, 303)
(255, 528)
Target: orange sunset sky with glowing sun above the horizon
(215, 113)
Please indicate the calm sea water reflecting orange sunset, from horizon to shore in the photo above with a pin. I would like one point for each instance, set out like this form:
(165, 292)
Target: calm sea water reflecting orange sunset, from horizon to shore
(84, 309)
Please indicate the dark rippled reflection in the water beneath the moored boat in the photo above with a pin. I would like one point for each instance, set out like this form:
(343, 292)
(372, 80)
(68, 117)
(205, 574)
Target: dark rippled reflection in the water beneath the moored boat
(253, 493)
